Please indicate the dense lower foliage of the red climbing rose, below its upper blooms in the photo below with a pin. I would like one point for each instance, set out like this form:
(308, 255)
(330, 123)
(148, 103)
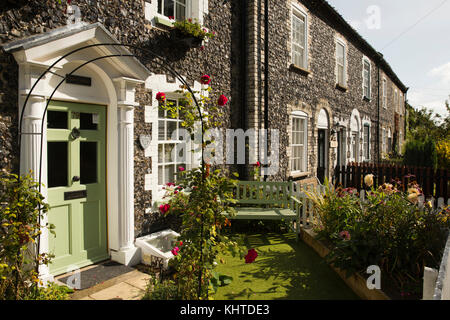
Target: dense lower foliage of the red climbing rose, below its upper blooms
(200, 206)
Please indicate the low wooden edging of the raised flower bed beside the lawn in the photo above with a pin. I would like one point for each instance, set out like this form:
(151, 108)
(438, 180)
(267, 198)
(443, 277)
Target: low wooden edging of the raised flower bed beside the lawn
(356, 282)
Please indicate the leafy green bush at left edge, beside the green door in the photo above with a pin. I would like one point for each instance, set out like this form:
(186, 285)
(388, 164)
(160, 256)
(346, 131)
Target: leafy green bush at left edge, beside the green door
(20, 201)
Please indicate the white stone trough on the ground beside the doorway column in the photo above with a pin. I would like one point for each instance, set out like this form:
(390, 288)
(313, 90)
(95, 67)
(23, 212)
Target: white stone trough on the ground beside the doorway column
(157, 246)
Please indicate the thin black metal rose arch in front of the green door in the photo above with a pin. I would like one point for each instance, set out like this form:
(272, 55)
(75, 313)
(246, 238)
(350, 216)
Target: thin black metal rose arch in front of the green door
(160, 61)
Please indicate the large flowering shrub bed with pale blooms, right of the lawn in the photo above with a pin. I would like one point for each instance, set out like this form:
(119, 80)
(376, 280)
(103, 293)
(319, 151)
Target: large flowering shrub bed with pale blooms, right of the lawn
(387, 229)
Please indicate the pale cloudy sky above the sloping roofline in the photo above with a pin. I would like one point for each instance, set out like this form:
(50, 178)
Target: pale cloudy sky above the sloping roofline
(414, 37)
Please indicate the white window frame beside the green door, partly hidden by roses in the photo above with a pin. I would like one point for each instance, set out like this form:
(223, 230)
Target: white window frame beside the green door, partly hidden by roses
(163, 164)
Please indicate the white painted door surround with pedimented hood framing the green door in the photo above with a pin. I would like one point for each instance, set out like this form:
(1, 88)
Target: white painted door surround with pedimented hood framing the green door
(104, 90)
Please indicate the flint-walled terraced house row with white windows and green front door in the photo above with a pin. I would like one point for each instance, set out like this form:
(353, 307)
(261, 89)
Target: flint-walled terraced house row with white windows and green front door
(294, 66)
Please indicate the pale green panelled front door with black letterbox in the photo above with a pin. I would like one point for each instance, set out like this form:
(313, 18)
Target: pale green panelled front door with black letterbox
(76, 171)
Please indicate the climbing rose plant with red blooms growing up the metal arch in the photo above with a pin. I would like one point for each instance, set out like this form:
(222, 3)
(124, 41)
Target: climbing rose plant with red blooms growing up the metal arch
(199, 198)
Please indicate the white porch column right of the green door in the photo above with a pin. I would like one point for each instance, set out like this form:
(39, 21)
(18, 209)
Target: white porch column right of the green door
(127, 254)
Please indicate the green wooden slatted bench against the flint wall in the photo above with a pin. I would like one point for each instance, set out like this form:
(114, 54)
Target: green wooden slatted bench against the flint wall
(263, 200)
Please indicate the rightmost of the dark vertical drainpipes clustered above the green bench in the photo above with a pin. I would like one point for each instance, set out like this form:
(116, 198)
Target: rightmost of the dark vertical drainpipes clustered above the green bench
(266, 74)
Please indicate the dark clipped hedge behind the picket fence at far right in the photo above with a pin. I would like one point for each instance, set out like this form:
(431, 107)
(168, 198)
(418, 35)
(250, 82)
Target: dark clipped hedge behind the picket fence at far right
(420, 153)
